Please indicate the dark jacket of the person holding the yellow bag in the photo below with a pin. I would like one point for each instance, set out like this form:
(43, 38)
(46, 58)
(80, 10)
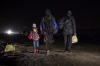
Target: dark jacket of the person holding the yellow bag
(69, 25)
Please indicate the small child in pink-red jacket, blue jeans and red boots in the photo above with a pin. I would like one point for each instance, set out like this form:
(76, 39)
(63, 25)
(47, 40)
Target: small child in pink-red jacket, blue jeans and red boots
(35, 37)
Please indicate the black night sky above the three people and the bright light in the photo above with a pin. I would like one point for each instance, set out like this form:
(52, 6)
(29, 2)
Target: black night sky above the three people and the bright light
(18, 14)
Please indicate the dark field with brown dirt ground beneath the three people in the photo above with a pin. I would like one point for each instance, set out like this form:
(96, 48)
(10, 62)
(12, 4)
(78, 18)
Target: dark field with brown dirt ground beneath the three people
(84, 53)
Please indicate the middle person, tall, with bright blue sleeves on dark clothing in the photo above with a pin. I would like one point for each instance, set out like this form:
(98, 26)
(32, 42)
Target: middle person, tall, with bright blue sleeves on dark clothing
(48, 27)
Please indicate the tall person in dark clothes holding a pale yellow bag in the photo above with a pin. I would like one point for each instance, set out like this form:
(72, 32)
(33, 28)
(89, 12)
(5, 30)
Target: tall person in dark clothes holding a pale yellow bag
(67, 23)
